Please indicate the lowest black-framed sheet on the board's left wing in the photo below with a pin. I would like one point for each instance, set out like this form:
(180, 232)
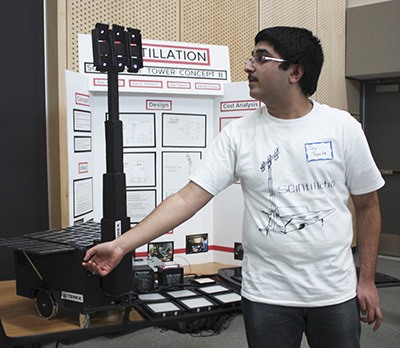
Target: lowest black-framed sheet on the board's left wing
(83, 196)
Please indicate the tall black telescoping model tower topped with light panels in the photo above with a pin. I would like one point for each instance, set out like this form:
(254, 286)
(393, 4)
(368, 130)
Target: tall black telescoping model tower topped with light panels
(113, 50)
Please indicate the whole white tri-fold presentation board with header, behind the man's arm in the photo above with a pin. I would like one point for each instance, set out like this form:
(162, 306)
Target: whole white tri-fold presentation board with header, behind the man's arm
(171, 111)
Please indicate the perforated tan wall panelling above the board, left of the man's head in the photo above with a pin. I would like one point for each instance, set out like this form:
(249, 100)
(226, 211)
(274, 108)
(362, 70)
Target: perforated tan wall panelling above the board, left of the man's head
(197, 21)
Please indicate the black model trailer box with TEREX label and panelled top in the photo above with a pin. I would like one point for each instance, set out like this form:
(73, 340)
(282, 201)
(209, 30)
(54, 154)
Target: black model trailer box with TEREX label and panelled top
(48, 267)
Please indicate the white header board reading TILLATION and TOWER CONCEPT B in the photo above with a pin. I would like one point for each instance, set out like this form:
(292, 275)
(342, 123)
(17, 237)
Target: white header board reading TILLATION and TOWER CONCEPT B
(168, 68)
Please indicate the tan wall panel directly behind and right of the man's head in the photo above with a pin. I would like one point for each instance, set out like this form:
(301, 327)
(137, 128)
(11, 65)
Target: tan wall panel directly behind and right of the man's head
(326, 19)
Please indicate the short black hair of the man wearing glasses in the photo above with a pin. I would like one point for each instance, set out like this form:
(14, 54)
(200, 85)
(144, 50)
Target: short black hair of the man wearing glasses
(297, 46)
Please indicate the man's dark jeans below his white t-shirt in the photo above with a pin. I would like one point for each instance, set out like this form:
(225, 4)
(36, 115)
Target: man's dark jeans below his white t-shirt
(271, 326)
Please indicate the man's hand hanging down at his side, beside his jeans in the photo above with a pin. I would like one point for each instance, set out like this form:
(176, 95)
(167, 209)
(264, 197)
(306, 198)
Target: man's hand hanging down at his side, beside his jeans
(370, 308)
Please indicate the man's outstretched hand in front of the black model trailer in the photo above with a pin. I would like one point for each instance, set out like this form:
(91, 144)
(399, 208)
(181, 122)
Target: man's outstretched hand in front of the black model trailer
(103, 258)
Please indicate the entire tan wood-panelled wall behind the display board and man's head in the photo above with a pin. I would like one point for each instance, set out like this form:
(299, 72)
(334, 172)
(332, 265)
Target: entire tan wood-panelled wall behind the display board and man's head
(219, 22)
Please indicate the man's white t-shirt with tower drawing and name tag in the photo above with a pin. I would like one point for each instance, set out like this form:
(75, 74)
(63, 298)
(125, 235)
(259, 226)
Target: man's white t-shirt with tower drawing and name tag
(296, 177)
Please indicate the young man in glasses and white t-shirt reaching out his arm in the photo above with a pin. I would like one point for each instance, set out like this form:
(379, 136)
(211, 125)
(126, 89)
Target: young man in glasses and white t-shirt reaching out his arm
(298, 162)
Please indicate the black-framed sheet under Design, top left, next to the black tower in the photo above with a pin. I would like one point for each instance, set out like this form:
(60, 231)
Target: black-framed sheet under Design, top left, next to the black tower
(139, 129)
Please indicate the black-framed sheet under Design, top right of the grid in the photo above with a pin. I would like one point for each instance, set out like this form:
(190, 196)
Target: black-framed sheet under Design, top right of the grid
(184, 130)
